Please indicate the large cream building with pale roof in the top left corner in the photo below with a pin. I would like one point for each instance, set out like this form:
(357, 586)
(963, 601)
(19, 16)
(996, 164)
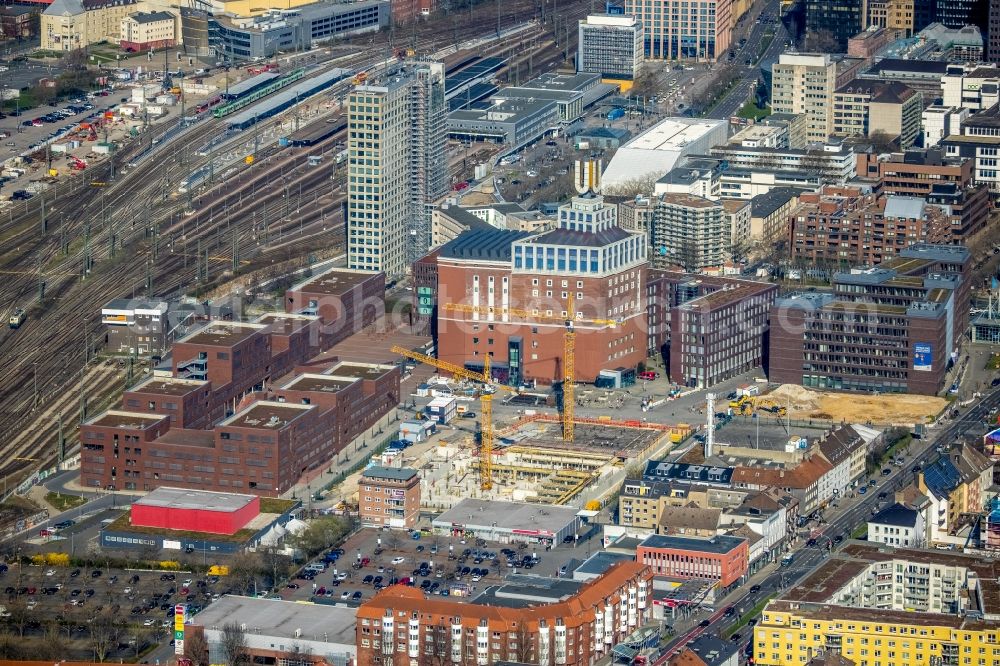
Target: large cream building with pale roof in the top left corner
(67, 25)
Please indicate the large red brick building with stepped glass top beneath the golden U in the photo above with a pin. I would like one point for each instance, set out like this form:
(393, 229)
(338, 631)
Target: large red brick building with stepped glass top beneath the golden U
(588, 258)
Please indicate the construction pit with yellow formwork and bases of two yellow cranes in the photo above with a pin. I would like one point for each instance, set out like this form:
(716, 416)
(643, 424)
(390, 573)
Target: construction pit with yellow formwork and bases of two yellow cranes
(545, 457)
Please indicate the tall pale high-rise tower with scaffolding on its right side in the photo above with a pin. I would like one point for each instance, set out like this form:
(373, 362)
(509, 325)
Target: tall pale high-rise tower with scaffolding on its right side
(396, 167)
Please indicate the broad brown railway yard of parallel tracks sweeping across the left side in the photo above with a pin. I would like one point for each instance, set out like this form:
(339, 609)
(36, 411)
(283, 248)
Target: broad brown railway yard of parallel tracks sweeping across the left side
(140, 215)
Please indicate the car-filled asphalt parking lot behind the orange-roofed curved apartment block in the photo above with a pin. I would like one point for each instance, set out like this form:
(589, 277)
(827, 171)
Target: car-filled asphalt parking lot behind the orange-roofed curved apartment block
(373, 559)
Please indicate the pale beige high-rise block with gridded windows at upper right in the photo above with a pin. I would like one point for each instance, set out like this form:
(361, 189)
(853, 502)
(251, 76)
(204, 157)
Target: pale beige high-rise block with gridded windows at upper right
(804, 83)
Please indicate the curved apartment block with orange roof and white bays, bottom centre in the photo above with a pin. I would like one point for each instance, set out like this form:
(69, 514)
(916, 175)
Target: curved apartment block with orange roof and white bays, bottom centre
(574, 624)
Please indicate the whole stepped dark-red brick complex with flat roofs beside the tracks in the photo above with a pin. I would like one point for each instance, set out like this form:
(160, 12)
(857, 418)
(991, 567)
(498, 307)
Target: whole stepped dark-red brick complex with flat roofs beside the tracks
(236, 415)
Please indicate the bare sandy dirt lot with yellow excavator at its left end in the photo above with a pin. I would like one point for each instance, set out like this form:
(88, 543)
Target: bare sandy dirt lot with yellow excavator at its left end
(805, 403)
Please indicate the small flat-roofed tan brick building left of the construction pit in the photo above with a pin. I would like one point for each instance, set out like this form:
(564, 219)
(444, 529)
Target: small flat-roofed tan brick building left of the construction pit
(389, 496)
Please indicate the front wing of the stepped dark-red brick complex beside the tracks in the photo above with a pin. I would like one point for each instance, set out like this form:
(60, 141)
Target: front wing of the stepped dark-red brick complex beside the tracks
(271, 441)
